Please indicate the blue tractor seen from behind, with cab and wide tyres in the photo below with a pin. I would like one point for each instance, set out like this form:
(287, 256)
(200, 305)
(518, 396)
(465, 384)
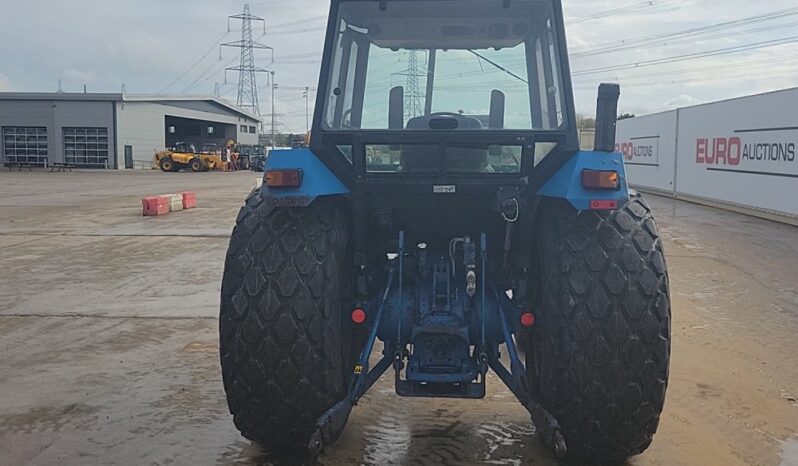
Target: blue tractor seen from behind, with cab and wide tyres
(444, 208)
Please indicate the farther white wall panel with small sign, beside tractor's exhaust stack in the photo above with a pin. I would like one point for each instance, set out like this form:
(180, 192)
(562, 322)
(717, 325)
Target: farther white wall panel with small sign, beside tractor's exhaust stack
(648, 145)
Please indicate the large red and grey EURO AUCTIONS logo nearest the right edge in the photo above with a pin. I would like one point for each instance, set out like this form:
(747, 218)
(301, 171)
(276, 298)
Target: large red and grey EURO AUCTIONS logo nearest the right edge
(766, 151)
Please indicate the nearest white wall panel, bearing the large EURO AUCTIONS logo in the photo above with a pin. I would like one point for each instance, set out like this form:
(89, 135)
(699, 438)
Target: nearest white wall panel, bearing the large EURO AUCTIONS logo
(742, 151)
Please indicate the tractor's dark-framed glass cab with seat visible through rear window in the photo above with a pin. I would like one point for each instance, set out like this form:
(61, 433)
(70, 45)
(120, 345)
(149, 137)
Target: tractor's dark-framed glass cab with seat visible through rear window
(429, 90)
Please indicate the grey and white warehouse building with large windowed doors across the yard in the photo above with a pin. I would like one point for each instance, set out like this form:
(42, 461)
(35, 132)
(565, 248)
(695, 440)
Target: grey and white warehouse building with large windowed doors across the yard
(113, 131)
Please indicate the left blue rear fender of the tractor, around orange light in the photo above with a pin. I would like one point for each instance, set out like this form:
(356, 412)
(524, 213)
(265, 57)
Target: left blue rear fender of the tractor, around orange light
(317, 179)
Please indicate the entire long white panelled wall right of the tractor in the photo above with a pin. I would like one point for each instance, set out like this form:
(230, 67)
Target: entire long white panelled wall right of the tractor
(741, 152)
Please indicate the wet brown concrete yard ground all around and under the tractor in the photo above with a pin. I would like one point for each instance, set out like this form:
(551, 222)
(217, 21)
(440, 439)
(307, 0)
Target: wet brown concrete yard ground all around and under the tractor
(108, 340)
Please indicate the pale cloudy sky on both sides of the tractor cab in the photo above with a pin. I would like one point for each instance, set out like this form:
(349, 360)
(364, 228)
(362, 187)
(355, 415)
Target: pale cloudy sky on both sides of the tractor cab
(157, 46)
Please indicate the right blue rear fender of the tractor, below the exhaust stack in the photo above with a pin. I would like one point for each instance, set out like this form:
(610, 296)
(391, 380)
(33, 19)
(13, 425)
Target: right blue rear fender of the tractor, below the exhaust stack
(567, 182)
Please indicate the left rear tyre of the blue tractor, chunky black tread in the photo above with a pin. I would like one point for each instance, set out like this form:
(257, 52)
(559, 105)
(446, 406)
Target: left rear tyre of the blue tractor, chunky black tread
(283, 340)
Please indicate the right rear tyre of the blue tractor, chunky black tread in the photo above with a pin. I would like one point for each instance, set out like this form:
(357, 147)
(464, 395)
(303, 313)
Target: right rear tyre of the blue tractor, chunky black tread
(602, 347)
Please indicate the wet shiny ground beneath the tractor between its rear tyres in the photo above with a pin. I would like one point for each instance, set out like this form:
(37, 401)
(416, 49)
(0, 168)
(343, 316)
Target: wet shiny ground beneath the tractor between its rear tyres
(388, 429)
